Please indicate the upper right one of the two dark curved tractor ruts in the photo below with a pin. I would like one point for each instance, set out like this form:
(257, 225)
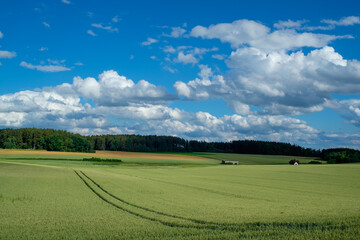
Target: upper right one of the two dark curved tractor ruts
(144, 208)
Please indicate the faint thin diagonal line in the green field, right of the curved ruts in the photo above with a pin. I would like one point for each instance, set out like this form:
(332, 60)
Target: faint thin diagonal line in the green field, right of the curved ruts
(203, 189)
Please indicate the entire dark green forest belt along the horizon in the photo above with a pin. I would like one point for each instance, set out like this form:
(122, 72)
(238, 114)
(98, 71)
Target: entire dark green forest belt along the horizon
(60, 140)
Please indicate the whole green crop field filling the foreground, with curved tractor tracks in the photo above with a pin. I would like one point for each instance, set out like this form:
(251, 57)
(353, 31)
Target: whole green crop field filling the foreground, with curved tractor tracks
(63, 197)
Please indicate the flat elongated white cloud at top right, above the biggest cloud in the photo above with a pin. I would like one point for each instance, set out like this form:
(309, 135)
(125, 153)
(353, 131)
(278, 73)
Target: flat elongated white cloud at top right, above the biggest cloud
(242, 32)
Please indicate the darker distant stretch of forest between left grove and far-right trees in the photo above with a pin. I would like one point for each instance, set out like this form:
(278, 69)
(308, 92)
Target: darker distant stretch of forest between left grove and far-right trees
(153, 143)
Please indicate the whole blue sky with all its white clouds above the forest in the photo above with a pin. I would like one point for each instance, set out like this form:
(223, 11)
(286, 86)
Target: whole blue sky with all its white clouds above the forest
(208, 70)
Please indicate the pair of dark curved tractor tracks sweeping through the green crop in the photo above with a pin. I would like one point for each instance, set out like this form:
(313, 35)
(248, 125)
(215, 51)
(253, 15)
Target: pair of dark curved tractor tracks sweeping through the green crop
(240, 228)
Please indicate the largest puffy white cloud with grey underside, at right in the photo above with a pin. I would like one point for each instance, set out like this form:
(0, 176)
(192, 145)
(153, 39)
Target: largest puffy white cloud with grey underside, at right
(277, 82)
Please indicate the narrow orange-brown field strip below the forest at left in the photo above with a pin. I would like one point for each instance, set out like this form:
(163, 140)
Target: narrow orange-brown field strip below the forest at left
(106, 154)
